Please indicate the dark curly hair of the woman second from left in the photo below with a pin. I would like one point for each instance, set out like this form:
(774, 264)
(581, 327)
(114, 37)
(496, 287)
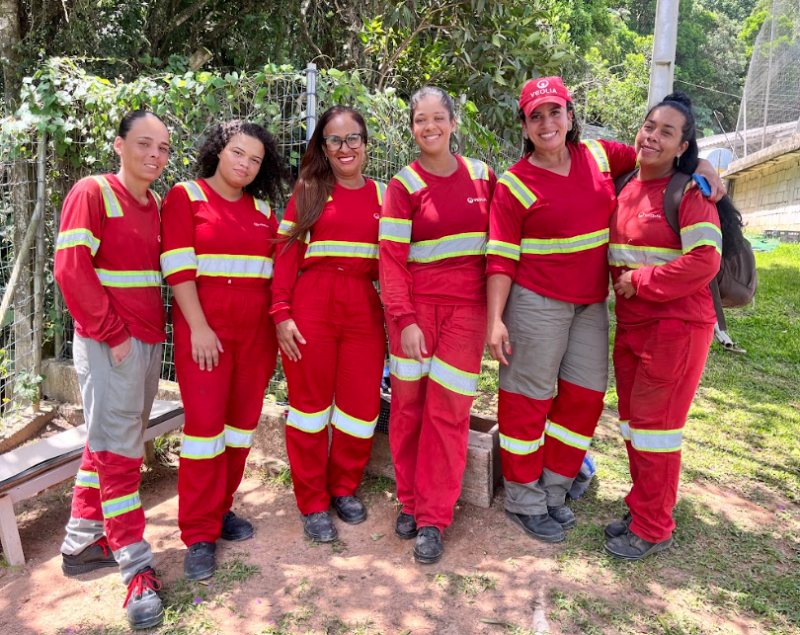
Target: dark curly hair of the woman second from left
(273, 178)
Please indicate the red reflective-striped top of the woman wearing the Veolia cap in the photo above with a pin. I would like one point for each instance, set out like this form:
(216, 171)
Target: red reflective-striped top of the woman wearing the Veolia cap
(549, 233)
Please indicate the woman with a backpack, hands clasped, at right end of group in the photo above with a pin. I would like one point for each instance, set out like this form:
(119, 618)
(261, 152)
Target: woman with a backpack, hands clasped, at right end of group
(665, 319)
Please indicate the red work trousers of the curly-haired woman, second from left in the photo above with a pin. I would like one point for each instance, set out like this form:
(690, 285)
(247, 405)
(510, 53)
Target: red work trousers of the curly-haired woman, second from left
(222, 406)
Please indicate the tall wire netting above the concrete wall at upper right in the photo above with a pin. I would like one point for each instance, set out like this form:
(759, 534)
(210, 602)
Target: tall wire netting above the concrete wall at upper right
(770, 108)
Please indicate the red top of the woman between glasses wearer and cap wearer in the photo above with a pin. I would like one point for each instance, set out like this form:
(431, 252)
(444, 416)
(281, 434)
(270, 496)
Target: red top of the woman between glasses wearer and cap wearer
(433, 238)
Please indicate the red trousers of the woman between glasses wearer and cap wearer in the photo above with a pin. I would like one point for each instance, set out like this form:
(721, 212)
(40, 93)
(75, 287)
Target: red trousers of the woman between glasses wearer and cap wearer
(429, 423)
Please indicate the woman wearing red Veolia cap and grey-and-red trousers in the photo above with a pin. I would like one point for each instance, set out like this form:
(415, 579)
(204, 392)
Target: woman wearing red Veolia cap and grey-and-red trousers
(547, 313)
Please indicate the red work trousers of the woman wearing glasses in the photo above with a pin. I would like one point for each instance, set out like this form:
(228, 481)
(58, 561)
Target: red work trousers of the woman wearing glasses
(337, 379)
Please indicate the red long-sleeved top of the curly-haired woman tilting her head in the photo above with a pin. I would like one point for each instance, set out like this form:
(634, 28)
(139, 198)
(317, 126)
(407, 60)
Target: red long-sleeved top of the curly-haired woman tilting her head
(215, 241)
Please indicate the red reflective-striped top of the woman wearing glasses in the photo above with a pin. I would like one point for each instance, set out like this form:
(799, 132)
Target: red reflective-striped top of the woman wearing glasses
(344, 238)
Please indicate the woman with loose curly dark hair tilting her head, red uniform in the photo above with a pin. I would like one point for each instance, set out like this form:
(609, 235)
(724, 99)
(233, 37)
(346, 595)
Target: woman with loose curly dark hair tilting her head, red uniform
(219, 236)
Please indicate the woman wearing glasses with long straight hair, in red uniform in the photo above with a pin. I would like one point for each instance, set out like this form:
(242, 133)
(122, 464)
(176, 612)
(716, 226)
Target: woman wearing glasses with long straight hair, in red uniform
(330, 321)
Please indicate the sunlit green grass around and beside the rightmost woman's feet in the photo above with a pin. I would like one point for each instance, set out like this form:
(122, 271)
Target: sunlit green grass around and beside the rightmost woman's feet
(743, 436)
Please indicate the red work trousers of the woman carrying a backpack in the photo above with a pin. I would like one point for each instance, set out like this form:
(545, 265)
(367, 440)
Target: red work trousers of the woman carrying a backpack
(658, 368)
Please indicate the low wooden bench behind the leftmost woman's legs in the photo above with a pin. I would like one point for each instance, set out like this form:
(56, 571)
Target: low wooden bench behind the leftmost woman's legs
(36, 467)
